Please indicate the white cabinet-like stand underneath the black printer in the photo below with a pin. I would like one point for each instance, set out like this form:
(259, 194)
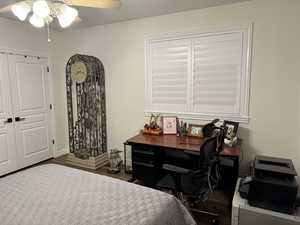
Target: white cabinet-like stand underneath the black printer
(244, 214)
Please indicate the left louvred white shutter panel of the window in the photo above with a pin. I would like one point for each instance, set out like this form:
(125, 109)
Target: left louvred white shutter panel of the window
(169, 75)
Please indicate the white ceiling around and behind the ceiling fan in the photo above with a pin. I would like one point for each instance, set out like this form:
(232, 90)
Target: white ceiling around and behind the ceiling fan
(133, 9)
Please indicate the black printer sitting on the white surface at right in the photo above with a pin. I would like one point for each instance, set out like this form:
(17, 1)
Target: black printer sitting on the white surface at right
(272, 184)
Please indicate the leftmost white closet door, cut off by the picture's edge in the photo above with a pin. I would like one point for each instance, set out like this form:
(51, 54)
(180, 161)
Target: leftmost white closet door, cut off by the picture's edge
(8, 158)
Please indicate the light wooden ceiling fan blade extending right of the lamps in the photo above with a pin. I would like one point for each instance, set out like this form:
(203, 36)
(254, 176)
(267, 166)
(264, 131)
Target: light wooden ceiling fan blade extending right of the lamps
(96, 3)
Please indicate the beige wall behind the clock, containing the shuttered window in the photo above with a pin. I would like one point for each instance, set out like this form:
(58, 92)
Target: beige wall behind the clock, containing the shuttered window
(275, 98)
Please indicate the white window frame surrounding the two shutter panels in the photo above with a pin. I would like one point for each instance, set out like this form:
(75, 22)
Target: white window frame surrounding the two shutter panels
(243, 116)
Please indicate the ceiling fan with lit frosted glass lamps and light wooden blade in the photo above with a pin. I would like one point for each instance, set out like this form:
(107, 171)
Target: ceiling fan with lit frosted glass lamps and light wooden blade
(43, 12)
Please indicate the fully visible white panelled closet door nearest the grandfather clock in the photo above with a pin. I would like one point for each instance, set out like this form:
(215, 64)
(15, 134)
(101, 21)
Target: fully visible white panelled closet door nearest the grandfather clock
(30, 93)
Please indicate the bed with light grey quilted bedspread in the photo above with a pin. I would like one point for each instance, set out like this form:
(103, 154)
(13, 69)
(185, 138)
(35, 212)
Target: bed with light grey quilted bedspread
(58, 195)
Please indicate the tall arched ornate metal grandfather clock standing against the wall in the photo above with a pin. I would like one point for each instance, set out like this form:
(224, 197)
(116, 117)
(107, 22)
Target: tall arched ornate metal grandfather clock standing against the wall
(85, 83)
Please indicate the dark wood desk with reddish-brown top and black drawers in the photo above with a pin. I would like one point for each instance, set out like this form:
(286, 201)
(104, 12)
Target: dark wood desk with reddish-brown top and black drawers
(149, 153)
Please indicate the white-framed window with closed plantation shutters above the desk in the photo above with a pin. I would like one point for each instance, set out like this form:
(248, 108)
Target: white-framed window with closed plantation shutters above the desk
(199, 75)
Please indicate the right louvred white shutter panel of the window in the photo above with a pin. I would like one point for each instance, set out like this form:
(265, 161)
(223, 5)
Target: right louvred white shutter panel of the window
(217, 73)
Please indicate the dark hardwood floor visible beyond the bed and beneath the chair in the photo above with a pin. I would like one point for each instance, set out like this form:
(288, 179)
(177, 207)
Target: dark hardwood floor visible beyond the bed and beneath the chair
(218, 203)
